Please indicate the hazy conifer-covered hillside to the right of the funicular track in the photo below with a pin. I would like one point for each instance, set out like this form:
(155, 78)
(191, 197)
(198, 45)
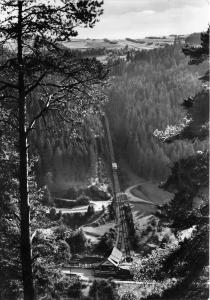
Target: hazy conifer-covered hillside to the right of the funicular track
(145, 93)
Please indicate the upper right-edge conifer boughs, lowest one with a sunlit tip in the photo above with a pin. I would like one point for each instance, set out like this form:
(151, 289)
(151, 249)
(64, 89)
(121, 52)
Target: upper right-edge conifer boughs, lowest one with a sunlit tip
(196, 122)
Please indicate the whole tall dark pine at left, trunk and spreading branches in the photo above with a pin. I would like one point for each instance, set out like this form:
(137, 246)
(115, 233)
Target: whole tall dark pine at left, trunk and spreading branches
(38, 76)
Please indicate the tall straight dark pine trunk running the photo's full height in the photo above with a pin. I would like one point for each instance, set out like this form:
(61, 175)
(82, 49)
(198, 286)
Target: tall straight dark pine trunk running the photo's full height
(25, 244)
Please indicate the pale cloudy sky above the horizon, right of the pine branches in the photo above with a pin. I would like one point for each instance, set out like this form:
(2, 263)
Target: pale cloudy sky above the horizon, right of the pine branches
(140, 18)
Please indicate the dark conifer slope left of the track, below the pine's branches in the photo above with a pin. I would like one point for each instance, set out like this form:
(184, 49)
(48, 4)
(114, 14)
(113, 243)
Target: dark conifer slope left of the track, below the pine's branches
(67, 157)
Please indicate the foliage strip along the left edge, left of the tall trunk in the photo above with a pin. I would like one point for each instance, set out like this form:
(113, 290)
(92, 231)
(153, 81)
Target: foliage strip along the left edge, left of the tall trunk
(10, 269)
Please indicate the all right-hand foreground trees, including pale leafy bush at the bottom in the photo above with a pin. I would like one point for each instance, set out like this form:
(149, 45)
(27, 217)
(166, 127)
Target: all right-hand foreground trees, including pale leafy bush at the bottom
(181, 270)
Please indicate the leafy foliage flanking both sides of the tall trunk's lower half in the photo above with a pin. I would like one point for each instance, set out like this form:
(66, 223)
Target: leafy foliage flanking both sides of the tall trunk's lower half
(49, 251)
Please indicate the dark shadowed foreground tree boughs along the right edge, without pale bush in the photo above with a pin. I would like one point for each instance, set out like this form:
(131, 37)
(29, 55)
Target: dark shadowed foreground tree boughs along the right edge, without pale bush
(189, 181)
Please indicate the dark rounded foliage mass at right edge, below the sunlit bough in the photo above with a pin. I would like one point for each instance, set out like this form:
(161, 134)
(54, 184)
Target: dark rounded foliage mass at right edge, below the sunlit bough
(188, 178)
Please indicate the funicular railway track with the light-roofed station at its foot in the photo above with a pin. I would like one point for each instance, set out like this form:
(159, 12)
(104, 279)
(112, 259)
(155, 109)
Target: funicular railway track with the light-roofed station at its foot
(122, 252)
